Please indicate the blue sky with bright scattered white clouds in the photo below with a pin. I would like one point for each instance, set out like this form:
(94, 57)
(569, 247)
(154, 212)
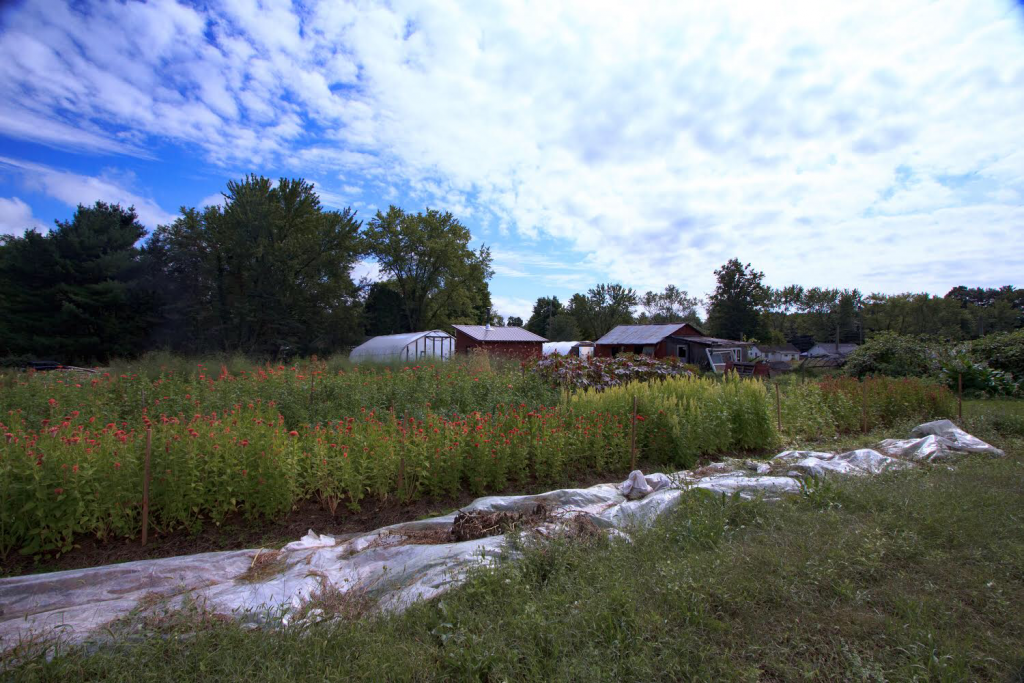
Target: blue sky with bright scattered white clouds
(869, 145)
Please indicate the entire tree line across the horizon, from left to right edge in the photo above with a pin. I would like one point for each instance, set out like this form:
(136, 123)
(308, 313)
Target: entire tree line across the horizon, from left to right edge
(270, 274)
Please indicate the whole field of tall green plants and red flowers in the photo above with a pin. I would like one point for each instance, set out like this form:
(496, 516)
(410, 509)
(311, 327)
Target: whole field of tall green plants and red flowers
(237, 445)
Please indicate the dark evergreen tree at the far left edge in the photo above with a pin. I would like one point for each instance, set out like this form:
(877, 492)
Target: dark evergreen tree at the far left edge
(77, 293)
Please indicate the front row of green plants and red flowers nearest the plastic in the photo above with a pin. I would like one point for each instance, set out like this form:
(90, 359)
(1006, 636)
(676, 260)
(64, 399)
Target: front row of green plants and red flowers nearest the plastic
(80, 474)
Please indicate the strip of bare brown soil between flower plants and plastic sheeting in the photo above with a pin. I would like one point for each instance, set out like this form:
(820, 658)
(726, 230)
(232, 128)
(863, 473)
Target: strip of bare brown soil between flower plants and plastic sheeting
(239, 534)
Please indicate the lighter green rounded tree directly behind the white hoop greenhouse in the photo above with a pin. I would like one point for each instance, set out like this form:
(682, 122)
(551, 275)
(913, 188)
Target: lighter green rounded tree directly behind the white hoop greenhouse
(428, 255)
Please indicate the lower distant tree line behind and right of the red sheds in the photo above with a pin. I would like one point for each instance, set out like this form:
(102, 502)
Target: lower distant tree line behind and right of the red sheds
(743, 308)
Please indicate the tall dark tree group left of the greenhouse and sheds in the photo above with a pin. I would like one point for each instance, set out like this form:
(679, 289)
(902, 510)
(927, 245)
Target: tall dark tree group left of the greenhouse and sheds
(268, 274)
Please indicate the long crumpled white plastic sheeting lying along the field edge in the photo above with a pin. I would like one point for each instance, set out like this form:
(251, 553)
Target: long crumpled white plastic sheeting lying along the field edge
(76, 605)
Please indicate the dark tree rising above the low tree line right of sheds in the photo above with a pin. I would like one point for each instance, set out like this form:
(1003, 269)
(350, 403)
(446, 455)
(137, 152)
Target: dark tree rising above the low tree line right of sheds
(735, 309)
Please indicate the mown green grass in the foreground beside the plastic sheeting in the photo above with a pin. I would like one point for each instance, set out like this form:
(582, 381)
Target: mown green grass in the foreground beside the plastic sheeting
(912, 576)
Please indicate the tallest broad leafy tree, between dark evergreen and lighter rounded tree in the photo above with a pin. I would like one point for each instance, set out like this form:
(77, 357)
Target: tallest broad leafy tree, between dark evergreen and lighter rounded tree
(268, 274)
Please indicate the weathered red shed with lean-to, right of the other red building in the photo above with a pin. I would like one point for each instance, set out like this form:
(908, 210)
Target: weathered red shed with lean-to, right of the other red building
(679, 340)
